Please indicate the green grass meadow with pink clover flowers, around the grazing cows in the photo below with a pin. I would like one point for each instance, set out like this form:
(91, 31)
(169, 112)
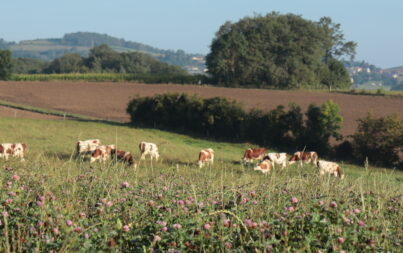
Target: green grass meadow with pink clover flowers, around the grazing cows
(55, 203)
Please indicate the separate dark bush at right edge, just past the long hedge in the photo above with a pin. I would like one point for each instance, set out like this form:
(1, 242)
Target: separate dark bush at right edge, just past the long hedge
(379, 139)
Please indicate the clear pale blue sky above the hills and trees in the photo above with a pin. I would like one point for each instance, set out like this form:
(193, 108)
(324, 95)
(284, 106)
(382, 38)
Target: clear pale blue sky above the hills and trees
(190, 25)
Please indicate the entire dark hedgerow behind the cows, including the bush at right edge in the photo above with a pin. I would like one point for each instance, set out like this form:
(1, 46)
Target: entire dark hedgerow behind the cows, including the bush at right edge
(380, 140)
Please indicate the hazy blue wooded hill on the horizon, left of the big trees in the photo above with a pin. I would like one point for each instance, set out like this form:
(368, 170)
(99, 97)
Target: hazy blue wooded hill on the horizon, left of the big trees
(82, 42)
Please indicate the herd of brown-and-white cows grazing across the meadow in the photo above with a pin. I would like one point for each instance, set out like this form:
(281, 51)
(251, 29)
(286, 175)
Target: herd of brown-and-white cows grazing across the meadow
(267, 161)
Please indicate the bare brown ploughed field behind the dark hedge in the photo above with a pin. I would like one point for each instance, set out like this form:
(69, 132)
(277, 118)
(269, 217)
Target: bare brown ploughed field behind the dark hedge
(108, 100)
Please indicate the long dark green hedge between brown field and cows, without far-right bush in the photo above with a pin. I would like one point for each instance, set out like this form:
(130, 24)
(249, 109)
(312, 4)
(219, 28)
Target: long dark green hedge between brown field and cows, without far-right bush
(225, 119)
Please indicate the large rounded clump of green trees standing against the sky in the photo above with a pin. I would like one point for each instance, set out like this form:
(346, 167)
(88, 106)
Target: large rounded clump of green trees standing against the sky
(282, 51)
